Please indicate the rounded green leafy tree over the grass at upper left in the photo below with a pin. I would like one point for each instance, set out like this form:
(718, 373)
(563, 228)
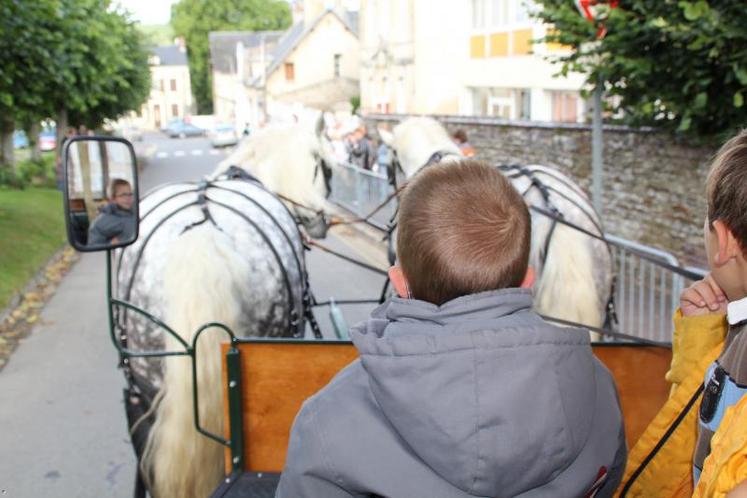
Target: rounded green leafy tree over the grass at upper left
(67, 58)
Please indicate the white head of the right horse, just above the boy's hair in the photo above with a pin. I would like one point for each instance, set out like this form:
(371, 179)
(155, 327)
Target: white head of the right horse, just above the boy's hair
(418, 142)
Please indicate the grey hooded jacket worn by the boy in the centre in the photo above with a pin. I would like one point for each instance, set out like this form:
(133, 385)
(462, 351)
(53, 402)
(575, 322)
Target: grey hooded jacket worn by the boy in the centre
(478, 397)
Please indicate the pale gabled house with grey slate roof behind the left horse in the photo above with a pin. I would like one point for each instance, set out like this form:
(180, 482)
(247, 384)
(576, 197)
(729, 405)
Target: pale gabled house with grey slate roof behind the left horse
(264, 75)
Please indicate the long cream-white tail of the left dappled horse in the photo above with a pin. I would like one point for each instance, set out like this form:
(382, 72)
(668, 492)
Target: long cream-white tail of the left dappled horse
(202, 283)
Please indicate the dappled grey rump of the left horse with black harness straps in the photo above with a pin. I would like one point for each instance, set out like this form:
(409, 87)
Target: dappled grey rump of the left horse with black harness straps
(258, 226)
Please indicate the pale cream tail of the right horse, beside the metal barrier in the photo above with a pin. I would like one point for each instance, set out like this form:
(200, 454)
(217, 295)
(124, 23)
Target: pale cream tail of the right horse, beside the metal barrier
(569, 273)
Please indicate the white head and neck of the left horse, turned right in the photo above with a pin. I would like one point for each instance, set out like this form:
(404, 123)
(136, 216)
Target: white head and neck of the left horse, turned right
(296, 162)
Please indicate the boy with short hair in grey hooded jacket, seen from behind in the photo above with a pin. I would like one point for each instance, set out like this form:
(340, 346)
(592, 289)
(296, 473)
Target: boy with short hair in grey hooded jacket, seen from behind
(461, 389)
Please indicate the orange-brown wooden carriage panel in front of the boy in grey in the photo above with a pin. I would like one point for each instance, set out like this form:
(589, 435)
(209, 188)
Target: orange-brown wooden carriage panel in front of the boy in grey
(277, 376)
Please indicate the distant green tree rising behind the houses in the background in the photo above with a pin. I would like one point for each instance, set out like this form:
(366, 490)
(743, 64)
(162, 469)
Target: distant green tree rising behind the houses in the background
(195, 19)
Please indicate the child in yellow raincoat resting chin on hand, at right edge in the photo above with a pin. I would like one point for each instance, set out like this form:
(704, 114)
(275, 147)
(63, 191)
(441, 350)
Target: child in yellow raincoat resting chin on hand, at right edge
(697, 444)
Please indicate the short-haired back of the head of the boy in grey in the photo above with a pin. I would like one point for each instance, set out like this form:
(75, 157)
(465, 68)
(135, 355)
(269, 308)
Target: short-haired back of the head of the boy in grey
(463, 229)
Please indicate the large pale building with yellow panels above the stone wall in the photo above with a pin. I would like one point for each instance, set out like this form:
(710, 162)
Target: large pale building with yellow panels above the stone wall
(471, 58)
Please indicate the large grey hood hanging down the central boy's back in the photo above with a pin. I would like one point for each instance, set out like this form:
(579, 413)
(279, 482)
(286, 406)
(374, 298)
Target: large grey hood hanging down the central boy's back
(481, 383)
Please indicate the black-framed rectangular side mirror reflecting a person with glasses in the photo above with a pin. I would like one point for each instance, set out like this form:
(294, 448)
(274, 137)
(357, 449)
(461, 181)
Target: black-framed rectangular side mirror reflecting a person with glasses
(101, 193)
